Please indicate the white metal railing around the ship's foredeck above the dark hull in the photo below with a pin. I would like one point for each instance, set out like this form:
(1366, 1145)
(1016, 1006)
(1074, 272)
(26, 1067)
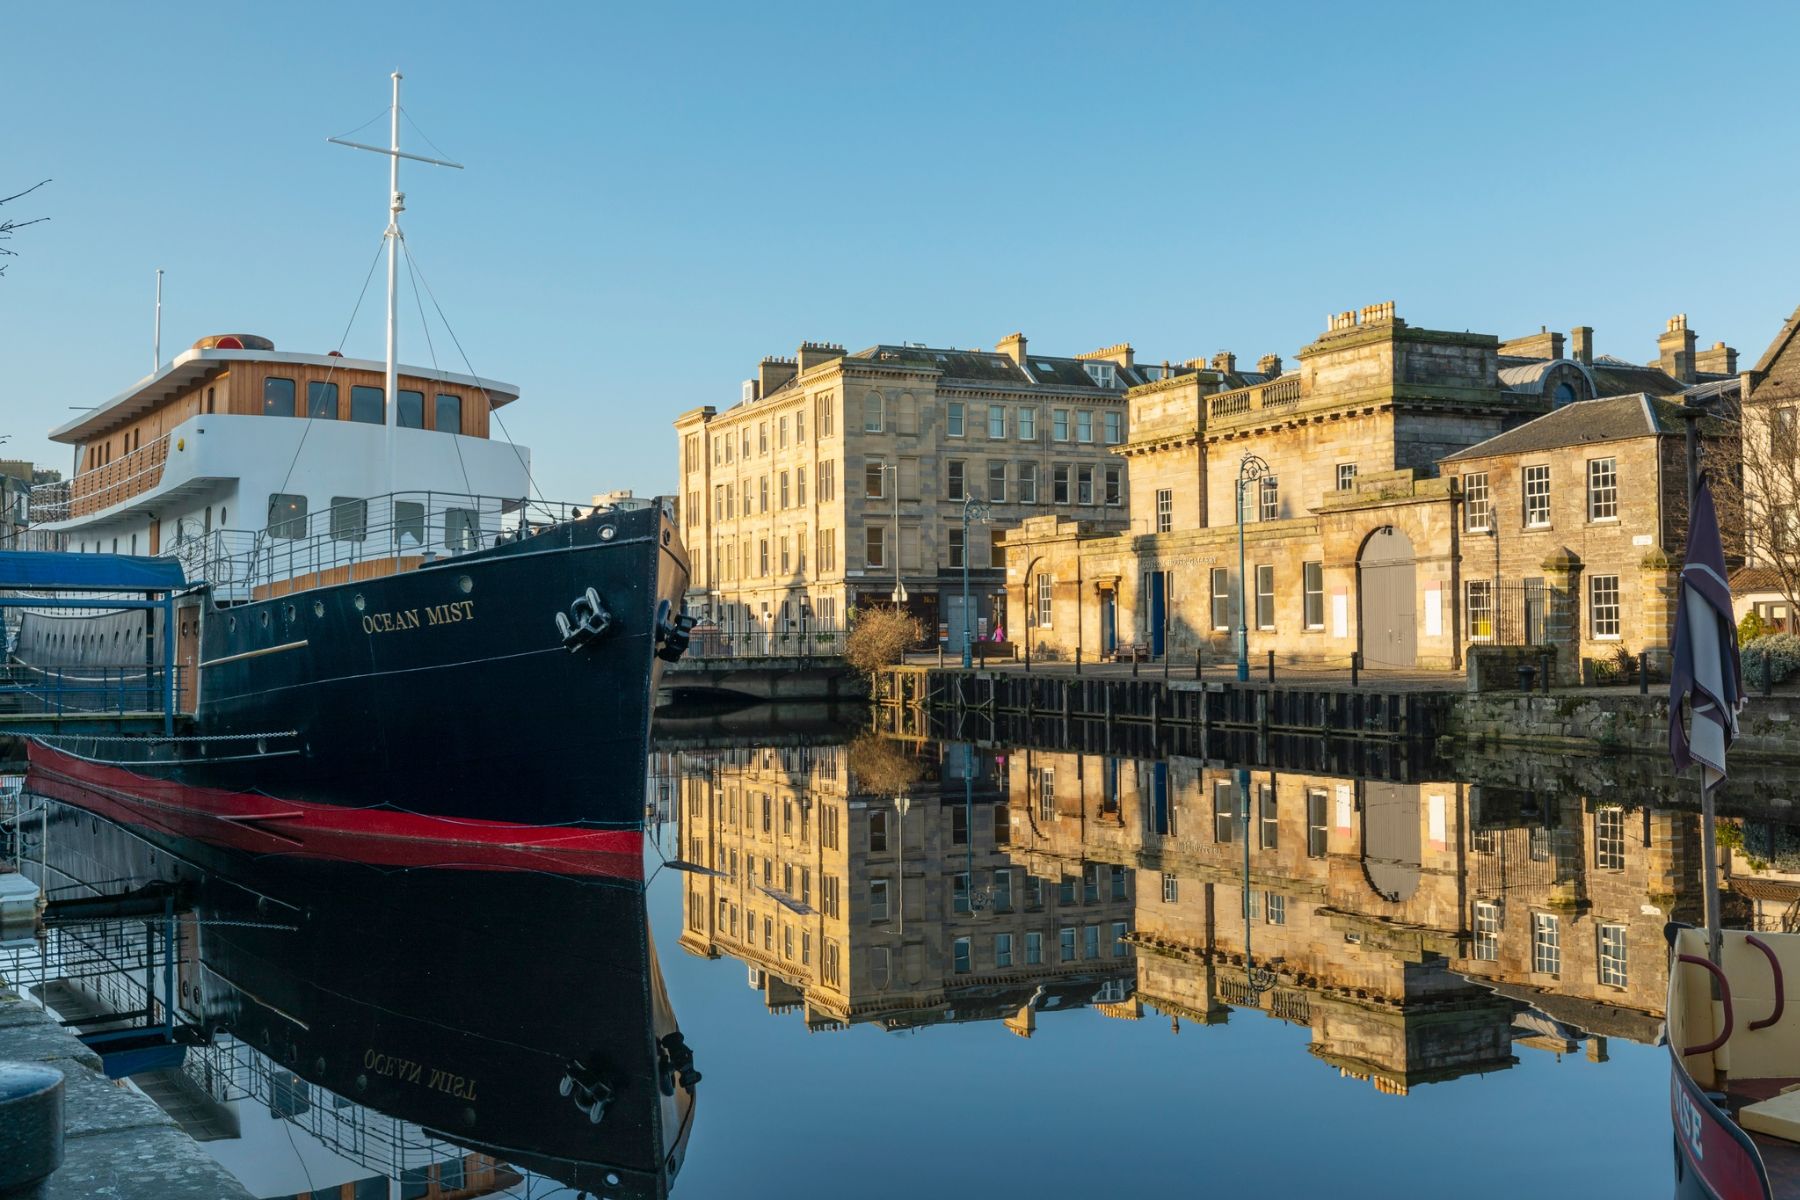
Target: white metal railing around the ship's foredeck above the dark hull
(359, 539)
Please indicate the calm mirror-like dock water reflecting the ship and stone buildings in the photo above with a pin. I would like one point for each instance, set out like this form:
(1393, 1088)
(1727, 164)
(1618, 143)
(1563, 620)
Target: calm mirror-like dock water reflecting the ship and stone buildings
(931, 967)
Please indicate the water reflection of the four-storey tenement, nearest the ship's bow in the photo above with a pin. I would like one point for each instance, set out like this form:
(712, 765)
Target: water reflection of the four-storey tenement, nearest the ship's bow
(858, 900)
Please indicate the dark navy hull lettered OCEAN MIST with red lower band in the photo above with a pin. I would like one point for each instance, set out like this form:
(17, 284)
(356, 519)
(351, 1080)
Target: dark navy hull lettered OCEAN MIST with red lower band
(433, 704)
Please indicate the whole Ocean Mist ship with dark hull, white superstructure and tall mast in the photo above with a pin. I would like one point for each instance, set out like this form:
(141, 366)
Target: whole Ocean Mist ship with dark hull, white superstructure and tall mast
(381, 632)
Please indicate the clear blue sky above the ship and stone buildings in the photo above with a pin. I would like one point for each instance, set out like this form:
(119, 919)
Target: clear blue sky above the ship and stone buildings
(660, 195)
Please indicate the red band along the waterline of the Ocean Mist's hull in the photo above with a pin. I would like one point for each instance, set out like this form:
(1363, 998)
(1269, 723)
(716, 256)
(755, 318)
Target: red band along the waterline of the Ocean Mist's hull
(264, 825)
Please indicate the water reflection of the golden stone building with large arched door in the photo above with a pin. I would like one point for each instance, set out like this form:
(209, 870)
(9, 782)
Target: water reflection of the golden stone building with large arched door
(1417, 929)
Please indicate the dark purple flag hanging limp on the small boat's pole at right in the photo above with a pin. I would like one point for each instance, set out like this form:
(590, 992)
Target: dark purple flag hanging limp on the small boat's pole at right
(1707, 672)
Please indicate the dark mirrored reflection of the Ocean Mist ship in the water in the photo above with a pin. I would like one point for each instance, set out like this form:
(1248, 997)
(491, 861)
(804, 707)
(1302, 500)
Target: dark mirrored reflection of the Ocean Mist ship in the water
(445, 1030)
